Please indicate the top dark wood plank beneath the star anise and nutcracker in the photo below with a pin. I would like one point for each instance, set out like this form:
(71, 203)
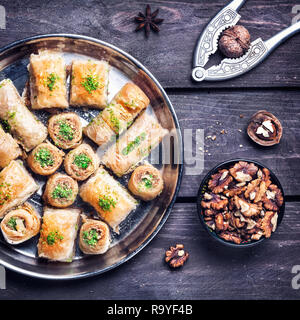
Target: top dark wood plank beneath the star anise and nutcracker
(169, 54)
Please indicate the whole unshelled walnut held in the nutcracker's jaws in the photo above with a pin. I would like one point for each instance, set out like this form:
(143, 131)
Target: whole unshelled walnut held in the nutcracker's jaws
(234, 42)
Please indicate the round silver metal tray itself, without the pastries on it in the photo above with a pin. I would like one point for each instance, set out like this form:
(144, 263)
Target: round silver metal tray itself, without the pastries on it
(143, 224)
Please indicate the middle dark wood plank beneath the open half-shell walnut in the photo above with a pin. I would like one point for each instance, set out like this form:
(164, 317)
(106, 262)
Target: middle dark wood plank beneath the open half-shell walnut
(215, 110)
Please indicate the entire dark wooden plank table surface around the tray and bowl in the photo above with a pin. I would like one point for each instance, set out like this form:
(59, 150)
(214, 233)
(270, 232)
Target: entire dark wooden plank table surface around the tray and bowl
(213, 271)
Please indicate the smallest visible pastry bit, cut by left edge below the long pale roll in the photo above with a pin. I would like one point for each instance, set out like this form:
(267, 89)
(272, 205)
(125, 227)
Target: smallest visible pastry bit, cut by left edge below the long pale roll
(9, 149)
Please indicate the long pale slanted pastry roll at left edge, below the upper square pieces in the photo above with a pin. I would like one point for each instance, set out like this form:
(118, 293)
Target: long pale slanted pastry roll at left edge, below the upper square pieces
(24, 127)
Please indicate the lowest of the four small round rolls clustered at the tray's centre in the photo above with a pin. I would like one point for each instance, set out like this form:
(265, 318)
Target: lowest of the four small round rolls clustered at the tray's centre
(61, 191)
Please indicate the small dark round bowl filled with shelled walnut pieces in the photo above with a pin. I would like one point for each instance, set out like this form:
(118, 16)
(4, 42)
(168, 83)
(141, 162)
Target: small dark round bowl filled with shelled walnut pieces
(240, 203)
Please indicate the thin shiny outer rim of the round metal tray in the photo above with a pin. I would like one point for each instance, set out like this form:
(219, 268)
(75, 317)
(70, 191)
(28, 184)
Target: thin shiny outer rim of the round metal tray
(38, 275)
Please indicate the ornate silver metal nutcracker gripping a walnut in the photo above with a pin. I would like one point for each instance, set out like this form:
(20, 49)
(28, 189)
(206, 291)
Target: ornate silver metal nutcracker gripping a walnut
(231, 68)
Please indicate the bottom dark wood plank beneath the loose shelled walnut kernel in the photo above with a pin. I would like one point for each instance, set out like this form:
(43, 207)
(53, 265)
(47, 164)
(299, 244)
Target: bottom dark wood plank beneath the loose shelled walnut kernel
(212, 272)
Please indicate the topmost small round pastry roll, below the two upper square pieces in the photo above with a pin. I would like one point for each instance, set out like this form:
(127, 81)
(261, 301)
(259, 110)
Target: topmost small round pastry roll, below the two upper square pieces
(65, 130)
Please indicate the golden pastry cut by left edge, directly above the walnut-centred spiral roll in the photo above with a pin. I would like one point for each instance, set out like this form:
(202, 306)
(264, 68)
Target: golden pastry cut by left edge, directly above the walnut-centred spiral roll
(16, 186)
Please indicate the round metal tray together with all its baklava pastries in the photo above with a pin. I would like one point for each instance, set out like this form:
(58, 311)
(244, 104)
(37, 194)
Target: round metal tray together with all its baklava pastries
(83, 185)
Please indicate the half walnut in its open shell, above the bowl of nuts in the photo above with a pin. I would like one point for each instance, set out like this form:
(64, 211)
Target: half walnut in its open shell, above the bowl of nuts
(264, 128)
